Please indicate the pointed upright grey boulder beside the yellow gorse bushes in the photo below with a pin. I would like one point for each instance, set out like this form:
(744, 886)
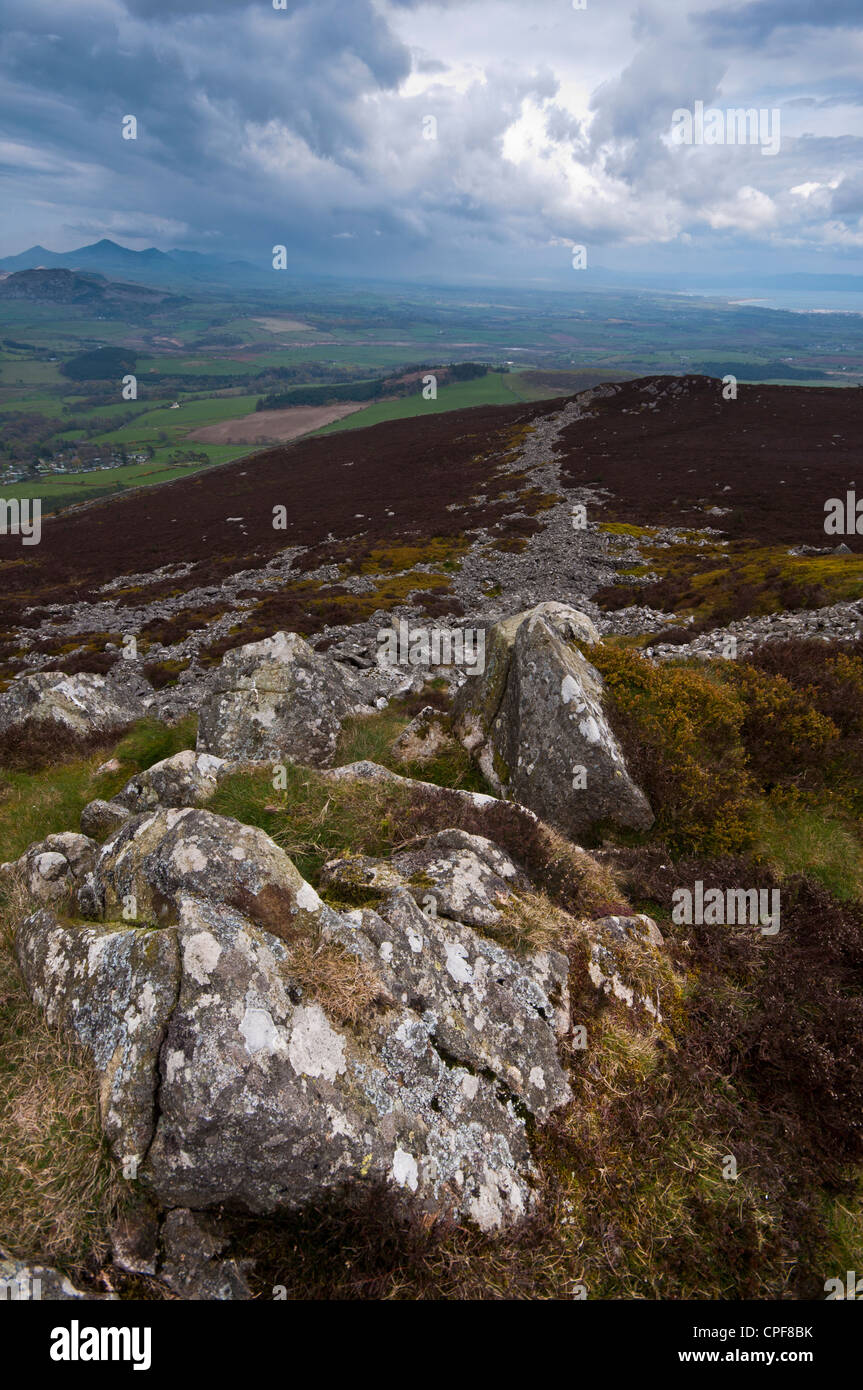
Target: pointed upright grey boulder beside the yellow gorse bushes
(537, 725)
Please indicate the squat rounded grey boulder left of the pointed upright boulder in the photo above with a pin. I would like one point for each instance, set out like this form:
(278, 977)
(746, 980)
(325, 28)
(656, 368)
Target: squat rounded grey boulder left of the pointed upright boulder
(279, 701)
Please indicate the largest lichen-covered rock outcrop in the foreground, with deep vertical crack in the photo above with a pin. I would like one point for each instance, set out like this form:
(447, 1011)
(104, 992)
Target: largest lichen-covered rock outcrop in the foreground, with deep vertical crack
(227, 1070)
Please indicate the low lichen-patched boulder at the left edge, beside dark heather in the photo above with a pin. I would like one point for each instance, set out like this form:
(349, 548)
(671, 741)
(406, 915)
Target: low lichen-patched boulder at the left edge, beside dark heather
(81, 704)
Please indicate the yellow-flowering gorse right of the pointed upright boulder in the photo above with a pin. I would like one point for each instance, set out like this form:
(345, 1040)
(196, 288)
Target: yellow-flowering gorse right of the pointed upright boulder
(744, 755)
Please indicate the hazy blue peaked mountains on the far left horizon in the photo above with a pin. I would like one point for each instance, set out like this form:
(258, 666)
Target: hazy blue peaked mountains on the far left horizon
(151, 266)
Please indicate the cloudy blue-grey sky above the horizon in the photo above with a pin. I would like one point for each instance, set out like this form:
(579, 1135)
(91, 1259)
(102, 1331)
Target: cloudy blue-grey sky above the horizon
(470, 141)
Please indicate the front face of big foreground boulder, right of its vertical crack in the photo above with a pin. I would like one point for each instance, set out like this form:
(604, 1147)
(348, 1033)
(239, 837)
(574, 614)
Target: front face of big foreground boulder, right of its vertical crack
(268, 1103)
